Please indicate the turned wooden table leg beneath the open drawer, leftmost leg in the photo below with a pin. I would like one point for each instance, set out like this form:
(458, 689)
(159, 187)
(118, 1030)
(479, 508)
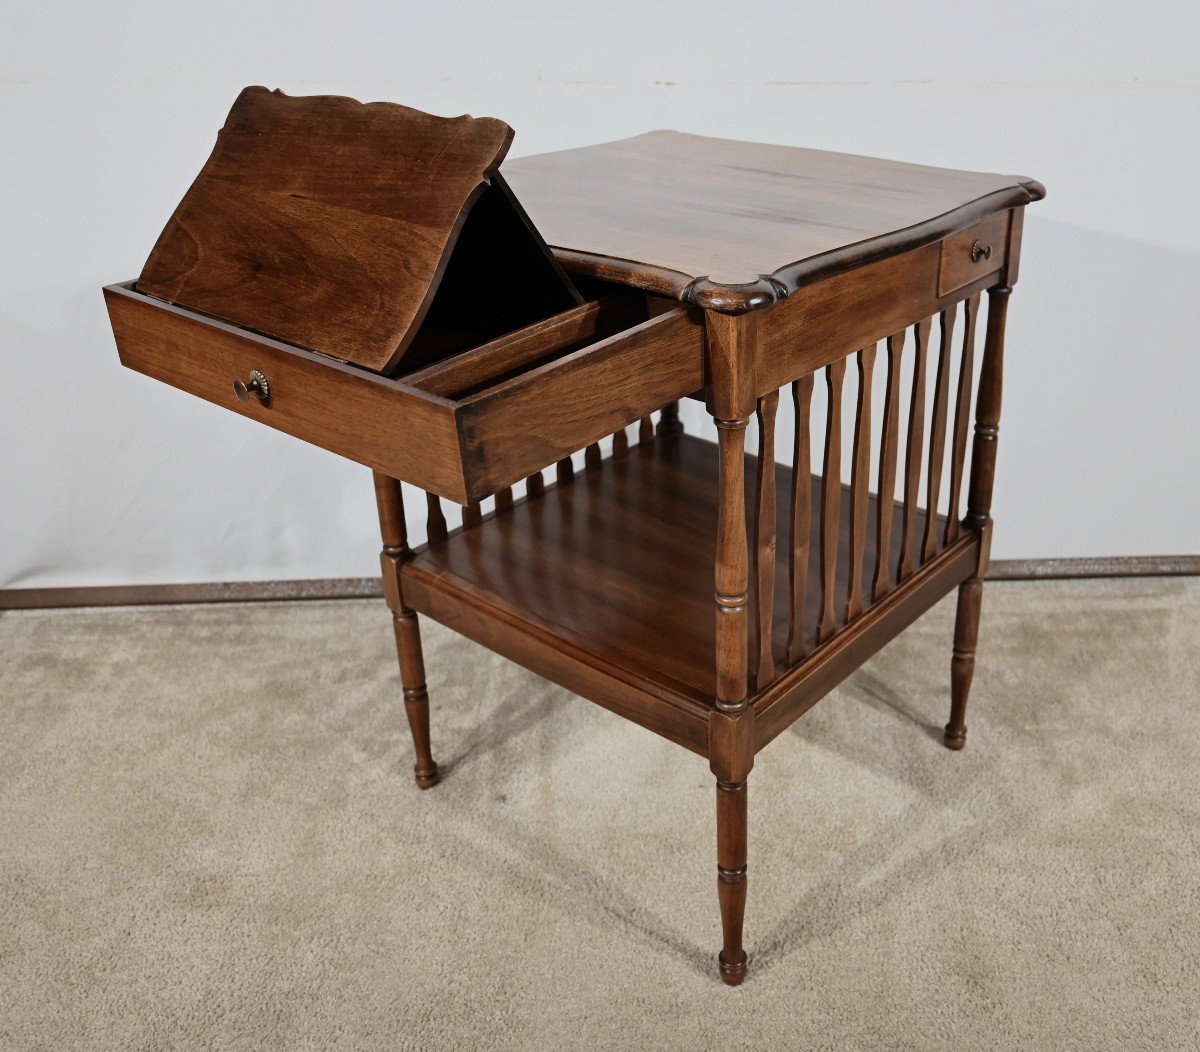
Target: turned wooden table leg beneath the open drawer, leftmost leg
(409, 630)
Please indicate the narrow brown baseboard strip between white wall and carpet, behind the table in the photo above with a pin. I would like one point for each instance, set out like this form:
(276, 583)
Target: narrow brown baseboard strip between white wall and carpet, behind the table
(15, 599)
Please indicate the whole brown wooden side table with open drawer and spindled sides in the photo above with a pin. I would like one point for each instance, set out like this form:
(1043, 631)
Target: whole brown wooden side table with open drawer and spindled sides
(364, 279)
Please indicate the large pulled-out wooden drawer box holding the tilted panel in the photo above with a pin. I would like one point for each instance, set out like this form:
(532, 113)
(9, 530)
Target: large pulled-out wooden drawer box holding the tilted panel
(463, 429)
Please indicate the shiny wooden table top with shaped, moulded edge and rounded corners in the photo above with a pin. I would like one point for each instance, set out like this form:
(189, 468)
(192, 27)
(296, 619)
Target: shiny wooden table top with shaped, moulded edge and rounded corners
(665, 209)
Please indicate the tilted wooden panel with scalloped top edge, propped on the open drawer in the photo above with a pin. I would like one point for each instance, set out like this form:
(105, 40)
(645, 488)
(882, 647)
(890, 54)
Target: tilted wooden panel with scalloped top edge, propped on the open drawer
(323, 221)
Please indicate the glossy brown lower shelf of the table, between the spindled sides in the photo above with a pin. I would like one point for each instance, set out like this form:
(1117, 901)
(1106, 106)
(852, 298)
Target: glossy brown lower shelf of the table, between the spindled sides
(605, 585)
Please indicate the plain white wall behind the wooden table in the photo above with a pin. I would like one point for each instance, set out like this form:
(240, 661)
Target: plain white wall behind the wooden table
(109, 111)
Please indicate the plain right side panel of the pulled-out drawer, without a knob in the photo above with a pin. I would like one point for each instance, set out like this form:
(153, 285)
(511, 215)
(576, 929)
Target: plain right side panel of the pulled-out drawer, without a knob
(539, 417)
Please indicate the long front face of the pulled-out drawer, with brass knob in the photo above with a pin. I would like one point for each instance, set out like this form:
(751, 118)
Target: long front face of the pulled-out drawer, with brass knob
(404, 432)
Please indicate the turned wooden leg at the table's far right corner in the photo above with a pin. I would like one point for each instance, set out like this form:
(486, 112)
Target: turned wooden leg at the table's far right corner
(979, 520)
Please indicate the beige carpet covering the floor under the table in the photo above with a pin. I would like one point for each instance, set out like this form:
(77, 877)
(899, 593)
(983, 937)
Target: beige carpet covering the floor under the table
(211, 839)
